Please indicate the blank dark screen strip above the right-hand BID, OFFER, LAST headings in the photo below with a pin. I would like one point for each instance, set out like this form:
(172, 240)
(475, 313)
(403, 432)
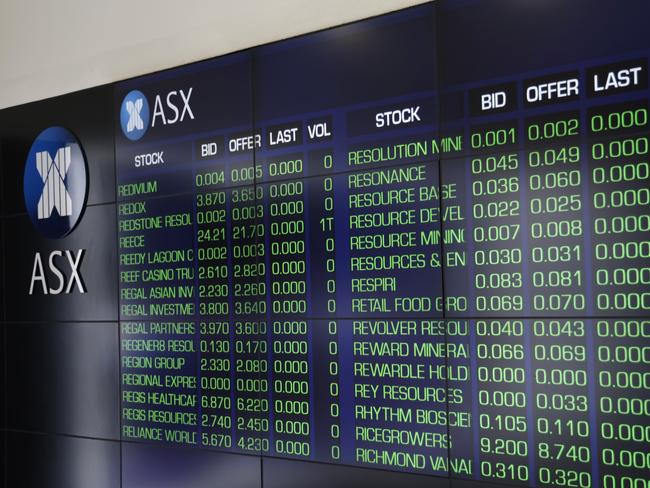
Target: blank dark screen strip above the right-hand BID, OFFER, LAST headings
(549, 33)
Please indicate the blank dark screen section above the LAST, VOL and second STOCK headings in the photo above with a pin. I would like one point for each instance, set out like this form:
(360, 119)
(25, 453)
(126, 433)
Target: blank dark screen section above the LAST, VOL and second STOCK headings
(366, 61)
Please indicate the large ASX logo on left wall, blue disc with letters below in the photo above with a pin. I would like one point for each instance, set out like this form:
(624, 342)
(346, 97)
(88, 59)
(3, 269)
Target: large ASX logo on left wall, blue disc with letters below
(55, 188)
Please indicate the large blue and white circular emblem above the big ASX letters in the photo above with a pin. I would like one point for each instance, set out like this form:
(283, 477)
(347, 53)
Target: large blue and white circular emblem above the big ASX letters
(55, 182)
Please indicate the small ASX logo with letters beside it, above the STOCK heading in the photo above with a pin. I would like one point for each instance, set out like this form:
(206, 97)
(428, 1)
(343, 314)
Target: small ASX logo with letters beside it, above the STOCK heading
(135, 112)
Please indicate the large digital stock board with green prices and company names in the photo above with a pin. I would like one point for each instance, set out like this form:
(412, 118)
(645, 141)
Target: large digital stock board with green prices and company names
(383, 245)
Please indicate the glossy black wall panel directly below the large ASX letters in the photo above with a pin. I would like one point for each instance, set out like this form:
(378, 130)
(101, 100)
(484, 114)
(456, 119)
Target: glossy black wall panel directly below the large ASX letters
(69, 373)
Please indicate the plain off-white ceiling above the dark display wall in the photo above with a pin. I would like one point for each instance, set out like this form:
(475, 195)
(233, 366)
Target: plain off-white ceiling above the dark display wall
(48, 47)
